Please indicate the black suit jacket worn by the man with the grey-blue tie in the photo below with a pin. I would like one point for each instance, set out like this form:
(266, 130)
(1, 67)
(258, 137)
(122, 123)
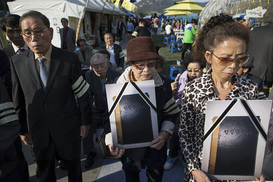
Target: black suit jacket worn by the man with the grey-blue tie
(53, 113)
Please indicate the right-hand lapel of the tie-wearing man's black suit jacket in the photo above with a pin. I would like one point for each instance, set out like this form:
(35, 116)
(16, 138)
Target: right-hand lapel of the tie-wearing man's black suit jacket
(54, 65)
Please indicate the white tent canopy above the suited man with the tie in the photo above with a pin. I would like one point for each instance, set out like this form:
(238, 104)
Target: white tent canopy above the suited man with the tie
(57, 9)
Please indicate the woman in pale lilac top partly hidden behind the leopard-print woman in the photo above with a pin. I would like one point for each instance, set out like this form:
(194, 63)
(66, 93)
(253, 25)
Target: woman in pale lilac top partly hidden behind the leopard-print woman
(194, 70)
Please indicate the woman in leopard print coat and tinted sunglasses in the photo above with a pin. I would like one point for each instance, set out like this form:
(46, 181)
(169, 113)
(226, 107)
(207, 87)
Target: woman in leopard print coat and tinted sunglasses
(223, 43)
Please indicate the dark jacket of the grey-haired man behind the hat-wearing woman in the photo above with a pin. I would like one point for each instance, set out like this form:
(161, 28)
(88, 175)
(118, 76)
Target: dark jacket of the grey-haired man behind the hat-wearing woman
(96, 96)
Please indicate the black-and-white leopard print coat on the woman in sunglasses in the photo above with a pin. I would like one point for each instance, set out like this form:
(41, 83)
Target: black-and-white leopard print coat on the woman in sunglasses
(193, 110)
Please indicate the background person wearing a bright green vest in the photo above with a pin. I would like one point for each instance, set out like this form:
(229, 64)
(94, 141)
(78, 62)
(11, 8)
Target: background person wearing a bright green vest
(188, 39)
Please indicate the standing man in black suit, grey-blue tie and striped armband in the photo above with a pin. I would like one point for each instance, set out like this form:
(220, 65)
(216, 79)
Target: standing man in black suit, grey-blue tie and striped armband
(46, 81)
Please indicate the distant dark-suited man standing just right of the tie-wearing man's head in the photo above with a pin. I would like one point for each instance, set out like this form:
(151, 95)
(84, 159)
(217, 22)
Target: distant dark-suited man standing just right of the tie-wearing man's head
(68, 36)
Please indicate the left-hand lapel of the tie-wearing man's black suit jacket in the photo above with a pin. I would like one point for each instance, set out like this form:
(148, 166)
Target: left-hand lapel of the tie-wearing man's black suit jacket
(31, 66)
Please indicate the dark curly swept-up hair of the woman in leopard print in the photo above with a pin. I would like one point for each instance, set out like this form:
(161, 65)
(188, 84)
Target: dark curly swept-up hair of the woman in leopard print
(218, 29)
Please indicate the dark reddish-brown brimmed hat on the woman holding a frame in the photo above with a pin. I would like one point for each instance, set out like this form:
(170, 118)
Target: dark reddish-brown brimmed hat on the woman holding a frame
(141, 48)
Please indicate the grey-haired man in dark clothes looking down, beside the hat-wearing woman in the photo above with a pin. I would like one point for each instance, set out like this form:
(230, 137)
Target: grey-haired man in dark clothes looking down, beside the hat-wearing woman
(98, 76)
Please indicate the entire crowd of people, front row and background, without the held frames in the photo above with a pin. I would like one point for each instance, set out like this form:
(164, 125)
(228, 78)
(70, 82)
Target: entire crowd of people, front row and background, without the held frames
(55, 98)
